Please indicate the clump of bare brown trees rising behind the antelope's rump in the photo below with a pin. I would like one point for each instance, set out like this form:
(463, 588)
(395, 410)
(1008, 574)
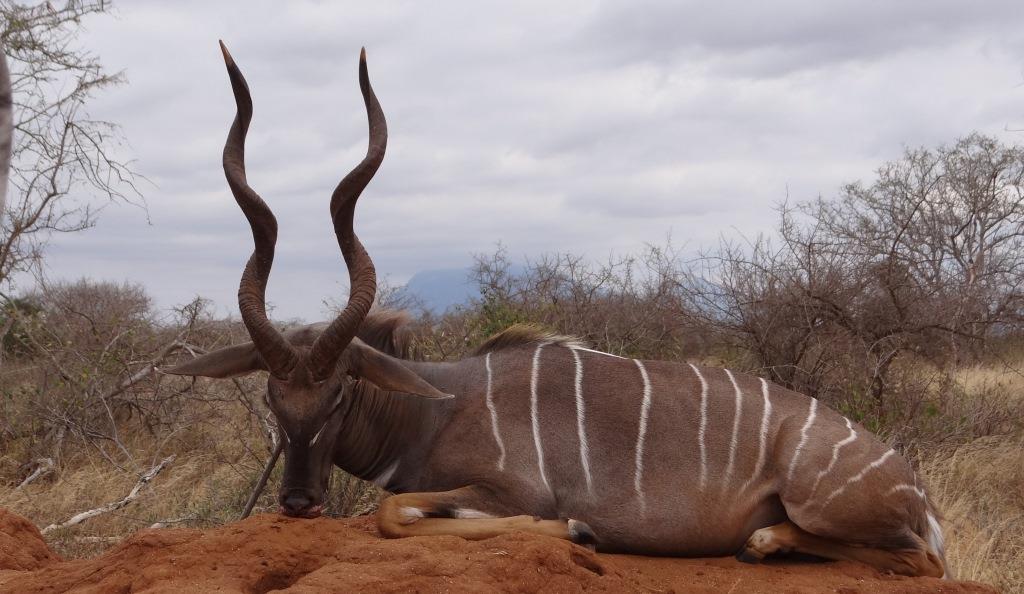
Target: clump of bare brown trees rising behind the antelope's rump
(924, 263)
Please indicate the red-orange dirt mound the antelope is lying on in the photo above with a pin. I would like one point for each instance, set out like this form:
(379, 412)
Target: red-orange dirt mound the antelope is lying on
(271, 553)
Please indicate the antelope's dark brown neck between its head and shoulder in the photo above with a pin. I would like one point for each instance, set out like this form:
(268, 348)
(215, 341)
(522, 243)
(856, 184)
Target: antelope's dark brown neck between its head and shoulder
(387, 437)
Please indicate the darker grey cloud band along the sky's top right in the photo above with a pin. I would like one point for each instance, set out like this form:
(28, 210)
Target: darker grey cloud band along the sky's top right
(776, 38)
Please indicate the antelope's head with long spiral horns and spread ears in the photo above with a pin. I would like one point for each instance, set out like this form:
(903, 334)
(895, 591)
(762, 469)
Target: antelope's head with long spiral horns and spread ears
(310, 381)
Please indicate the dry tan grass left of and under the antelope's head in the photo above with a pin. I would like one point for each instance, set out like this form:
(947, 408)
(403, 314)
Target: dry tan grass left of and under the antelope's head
(207, 485)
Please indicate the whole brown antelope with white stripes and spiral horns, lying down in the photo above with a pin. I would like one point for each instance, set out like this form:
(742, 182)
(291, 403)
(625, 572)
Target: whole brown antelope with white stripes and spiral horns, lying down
(537, 433)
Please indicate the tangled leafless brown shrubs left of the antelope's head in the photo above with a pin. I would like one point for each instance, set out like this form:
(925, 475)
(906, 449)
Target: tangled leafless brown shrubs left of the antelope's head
(86, 373)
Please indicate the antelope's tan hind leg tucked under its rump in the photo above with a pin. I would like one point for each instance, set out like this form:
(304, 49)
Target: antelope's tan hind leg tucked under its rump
(788, 537)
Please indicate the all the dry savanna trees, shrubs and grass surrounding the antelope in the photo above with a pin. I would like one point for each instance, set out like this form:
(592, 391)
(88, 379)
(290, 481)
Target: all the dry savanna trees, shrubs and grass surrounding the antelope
(898, 301)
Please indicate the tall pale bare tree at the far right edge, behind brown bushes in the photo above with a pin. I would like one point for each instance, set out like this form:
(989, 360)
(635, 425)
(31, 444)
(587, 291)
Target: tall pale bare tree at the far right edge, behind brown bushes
(945, 231)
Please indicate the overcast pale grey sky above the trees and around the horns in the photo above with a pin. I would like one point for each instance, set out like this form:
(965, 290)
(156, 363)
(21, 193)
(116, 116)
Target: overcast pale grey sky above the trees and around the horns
(591, 128)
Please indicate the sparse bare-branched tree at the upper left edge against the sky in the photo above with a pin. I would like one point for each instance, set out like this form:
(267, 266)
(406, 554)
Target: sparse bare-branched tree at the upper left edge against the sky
(63, 159)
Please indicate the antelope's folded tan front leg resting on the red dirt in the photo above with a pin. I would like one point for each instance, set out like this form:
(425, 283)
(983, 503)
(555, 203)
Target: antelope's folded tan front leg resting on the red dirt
(463, 513)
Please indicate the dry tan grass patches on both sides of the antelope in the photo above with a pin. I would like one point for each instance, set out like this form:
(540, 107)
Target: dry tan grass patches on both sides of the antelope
(978, 486)
